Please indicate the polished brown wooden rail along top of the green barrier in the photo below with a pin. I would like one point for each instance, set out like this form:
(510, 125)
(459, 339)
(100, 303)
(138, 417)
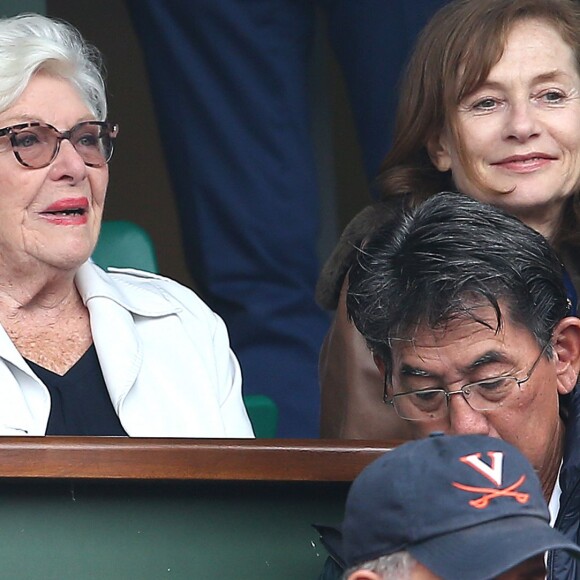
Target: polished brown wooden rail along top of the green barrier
(317, 460)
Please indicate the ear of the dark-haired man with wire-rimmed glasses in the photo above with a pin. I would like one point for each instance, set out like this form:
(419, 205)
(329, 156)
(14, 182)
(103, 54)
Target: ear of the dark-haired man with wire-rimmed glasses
(566, 342)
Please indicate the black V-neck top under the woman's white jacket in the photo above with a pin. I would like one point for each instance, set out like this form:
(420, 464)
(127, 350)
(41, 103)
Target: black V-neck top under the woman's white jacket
(80, 402)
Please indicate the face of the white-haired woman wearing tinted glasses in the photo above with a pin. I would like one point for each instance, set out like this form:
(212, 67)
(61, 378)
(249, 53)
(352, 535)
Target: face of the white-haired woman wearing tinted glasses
(50, 215)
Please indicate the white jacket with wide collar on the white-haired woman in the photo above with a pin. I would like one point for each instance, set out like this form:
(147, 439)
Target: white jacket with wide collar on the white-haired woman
(164, 354)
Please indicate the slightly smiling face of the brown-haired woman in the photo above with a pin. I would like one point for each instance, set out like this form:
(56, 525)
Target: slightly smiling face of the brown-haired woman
(520, 130)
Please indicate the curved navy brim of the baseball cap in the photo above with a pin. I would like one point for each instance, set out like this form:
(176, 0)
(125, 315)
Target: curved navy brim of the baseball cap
(491, 548)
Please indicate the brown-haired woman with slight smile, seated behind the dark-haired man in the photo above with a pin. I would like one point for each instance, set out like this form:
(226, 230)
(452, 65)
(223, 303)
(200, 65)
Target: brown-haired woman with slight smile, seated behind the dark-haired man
(490, 106)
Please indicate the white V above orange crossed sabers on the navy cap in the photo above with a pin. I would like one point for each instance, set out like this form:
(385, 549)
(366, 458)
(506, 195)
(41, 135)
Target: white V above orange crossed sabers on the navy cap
(494, 473)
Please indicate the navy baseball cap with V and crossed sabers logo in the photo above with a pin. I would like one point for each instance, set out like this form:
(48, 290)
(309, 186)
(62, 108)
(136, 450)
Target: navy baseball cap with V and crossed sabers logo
(467, 507)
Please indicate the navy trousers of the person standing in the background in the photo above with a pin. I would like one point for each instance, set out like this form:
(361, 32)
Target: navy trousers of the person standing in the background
(229, 80)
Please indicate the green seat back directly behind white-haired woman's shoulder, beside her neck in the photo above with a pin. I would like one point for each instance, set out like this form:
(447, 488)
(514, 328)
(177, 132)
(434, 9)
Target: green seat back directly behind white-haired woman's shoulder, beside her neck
(124, 244)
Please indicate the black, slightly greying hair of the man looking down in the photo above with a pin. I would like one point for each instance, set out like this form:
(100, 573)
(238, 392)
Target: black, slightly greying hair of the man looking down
(443, 260)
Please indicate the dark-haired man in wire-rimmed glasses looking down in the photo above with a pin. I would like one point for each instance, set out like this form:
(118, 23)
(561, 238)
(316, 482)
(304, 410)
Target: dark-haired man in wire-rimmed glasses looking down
(466, 313)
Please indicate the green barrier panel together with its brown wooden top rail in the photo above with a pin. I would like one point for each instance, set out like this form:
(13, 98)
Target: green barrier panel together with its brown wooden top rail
(118, 508)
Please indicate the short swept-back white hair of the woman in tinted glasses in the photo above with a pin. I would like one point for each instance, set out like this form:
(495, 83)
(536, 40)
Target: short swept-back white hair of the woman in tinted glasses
(31, 43)
